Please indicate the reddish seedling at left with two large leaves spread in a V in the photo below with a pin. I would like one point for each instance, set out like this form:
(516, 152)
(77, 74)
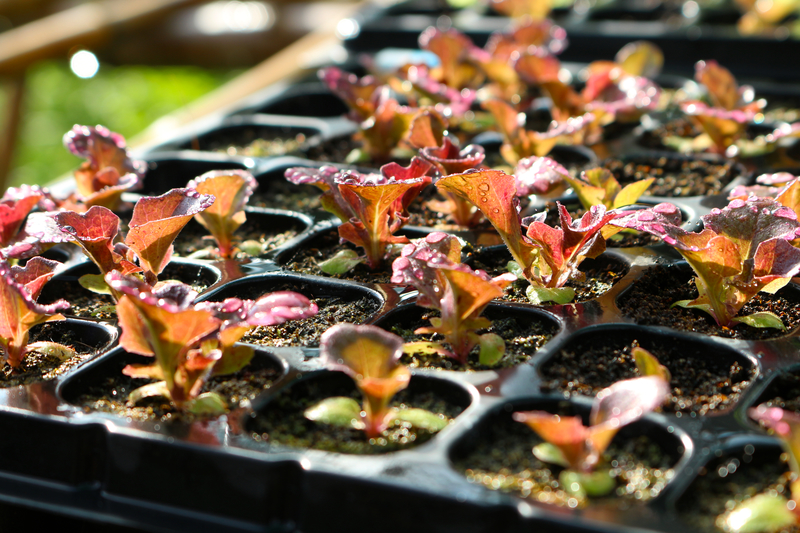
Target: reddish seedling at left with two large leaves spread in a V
(155, 223)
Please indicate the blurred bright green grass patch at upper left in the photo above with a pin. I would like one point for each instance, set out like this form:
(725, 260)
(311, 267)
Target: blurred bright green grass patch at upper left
(124, 99)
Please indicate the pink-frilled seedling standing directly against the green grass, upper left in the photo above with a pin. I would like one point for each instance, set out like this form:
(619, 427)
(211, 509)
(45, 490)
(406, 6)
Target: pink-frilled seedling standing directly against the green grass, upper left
(108, 170)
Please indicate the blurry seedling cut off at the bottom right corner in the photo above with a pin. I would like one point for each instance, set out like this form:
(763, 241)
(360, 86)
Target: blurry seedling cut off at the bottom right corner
(771, 511)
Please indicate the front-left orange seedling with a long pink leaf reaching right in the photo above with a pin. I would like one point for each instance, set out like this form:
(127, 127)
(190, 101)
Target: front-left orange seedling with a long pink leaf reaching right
(192, 342)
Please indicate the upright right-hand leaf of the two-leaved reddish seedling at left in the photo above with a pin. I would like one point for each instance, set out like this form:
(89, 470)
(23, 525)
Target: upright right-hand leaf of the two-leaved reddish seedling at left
(157, 220)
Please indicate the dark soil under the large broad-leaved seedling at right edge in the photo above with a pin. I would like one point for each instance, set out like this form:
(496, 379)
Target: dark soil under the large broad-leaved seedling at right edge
(649, 301)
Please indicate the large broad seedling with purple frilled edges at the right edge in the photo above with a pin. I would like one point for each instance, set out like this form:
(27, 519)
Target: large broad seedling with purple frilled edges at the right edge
(742, 250)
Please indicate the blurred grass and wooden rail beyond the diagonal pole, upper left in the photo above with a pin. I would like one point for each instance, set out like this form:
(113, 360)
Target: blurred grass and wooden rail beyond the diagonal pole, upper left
(123, 64)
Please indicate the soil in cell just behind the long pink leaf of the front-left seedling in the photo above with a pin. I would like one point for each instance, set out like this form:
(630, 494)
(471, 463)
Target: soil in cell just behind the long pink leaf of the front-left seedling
(306, 332)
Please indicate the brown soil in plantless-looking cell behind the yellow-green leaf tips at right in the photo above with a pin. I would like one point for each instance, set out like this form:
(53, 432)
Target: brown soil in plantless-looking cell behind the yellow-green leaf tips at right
(675, 176)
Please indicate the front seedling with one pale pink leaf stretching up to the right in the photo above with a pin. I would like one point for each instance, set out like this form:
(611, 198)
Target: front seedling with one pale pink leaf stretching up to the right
(578, 448)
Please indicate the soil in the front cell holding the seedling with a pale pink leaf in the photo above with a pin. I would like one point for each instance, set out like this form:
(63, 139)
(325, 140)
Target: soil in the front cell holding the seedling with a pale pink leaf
(501, 459)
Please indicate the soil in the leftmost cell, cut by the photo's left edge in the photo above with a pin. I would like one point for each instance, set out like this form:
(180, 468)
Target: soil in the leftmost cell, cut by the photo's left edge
(37, 367)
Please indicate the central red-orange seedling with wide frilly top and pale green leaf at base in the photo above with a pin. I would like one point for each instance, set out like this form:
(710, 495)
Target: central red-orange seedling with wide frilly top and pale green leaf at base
(372, 207)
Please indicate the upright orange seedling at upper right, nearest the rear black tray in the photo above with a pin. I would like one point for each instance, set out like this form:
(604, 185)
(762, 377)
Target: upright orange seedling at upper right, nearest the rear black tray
(725, 119)
